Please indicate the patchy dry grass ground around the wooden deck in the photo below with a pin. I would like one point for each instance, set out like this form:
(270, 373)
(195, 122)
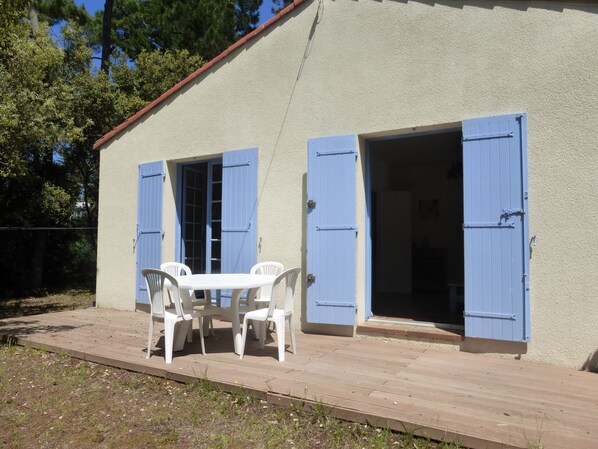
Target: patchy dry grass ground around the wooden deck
(50, 400)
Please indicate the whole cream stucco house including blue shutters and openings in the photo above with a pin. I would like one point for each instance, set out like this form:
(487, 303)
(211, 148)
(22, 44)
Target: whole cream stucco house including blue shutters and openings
(425, 162)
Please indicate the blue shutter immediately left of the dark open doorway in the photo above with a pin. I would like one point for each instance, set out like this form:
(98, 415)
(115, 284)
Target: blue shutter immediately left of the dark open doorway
(331, 230)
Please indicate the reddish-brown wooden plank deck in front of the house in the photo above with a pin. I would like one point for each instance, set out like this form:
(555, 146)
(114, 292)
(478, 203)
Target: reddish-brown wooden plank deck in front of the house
(478, 400)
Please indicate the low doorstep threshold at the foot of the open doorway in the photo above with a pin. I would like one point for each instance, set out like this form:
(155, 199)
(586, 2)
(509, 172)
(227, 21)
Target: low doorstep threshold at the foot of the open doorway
(411, 330)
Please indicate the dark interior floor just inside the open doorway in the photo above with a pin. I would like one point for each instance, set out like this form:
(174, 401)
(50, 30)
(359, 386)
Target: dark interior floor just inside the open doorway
(431, 307)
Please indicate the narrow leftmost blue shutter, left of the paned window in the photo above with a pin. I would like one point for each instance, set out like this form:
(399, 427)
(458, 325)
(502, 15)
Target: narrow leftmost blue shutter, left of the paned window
(148, 247)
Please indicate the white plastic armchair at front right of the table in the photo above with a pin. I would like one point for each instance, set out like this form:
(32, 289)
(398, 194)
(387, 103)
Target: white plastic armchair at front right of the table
(274, 315)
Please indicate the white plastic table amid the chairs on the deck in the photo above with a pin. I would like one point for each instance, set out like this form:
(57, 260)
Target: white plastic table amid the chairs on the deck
(228, 281)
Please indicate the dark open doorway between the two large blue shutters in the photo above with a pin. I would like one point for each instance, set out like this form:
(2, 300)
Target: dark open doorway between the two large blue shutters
(416, 188)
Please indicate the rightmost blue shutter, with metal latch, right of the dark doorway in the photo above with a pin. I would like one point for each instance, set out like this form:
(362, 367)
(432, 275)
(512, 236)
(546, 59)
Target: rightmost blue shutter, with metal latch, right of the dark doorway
(496, 228)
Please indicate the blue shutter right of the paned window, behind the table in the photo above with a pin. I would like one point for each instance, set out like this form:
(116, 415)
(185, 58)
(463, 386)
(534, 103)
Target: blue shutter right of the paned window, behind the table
(239, 212)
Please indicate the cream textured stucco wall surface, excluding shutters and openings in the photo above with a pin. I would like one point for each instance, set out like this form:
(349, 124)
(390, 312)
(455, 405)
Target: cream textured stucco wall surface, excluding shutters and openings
(373, 67)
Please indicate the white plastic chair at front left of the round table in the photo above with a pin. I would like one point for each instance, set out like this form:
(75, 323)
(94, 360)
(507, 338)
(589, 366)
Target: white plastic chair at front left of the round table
(158, 282)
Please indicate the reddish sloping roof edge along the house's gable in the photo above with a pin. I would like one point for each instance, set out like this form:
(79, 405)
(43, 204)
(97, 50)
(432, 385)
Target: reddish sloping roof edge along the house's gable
(241, 42)
